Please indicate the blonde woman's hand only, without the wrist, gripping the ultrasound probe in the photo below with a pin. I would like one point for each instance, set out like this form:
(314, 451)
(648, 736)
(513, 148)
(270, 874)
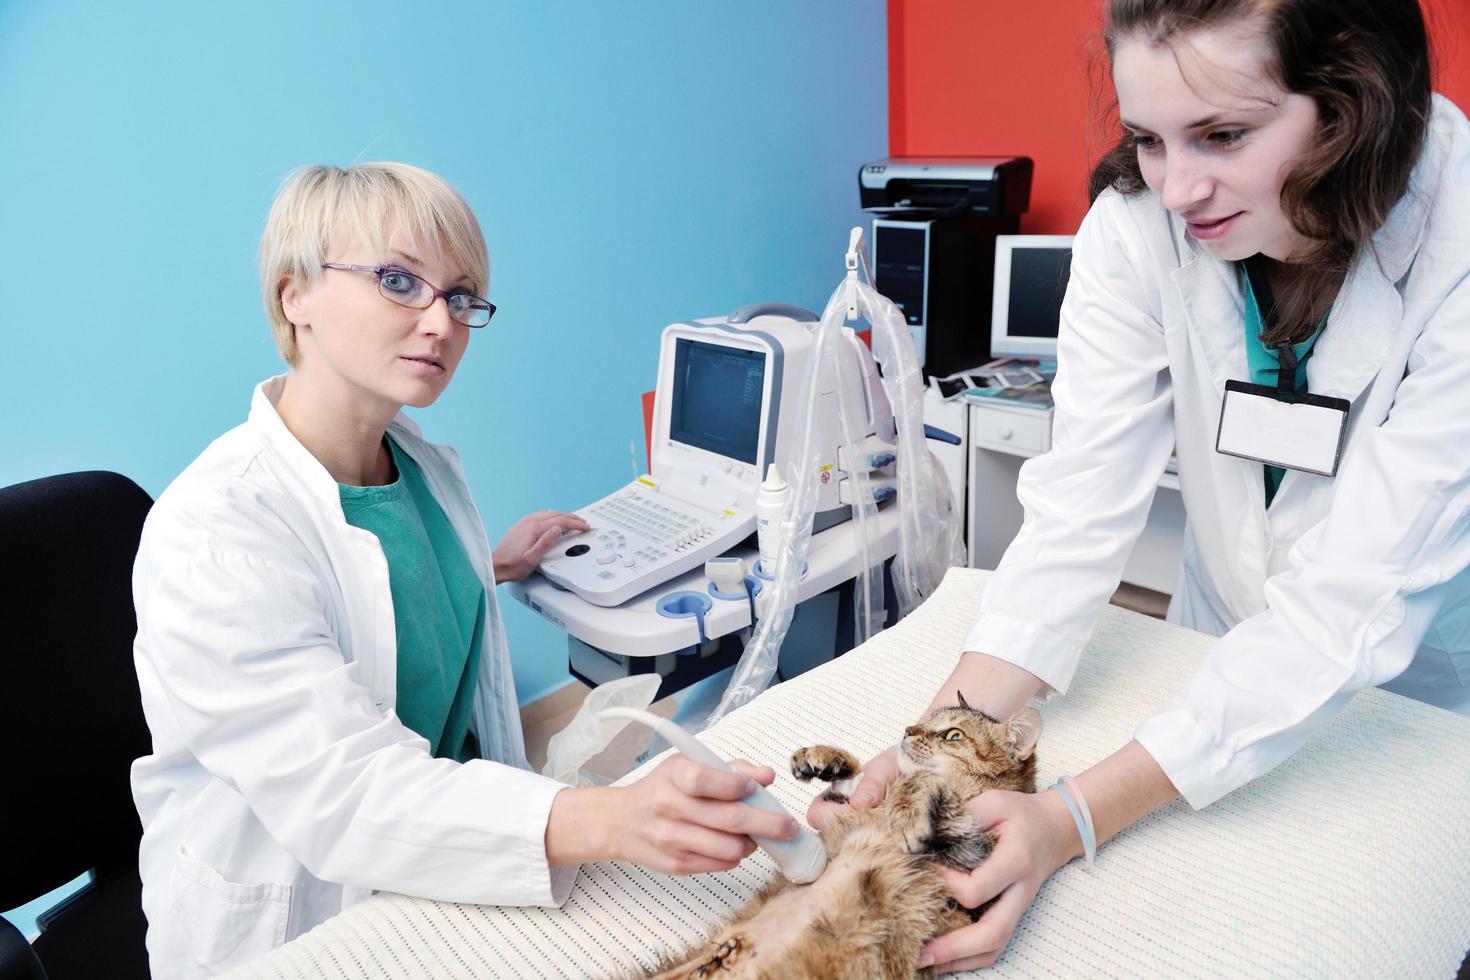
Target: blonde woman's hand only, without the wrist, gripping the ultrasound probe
(686, 818)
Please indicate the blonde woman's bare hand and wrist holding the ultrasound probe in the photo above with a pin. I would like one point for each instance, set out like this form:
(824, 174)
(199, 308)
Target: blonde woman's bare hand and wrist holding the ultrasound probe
(681, 819)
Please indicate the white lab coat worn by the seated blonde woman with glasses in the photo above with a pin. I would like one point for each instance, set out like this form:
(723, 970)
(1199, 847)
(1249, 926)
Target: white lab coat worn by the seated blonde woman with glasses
(283, 788)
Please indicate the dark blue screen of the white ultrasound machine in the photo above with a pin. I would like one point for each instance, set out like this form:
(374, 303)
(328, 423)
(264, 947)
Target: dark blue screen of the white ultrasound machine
(718, 399)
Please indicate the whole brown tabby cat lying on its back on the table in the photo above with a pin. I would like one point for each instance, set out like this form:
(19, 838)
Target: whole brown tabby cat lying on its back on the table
(881, 897)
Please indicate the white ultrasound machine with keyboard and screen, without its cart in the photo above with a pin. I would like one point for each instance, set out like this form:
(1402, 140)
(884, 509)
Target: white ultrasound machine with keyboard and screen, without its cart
(725, 384)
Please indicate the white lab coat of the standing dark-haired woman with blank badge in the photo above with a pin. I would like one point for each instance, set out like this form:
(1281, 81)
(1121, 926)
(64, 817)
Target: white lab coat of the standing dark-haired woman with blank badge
(1343, 583)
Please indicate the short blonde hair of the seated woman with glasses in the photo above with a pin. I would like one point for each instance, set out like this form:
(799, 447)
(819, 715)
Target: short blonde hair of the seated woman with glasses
(324, 208)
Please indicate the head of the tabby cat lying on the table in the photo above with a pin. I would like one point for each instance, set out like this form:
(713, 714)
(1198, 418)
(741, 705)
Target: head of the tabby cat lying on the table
(967, 741)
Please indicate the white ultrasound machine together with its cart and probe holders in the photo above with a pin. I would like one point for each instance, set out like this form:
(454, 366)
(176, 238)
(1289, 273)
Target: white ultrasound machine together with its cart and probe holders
(633, 591)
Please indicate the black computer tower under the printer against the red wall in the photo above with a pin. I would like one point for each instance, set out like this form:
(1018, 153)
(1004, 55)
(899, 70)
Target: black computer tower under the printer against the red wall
(940, 273)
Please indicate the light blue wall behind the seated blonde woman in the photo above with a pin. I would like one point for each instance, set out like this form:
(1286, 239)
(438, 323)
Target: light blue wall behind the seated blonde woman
(633, 164)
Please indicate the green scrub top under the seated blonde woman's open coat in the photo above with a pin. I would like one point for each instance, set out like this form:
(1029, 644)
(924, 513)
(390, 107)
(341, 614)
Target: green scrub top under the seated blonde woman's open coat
(439, 603)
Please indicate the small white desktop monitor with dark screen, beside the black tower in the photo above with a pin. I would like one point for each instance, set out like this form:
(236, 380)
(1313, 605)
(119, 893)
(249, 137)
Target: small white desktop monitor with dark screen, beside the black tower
(1031, 280)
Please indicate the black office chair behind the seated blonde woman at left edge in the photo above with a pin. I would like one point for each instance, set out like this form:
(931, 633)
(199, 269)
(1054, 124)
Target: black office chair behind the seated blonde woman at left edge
(73, 724)
